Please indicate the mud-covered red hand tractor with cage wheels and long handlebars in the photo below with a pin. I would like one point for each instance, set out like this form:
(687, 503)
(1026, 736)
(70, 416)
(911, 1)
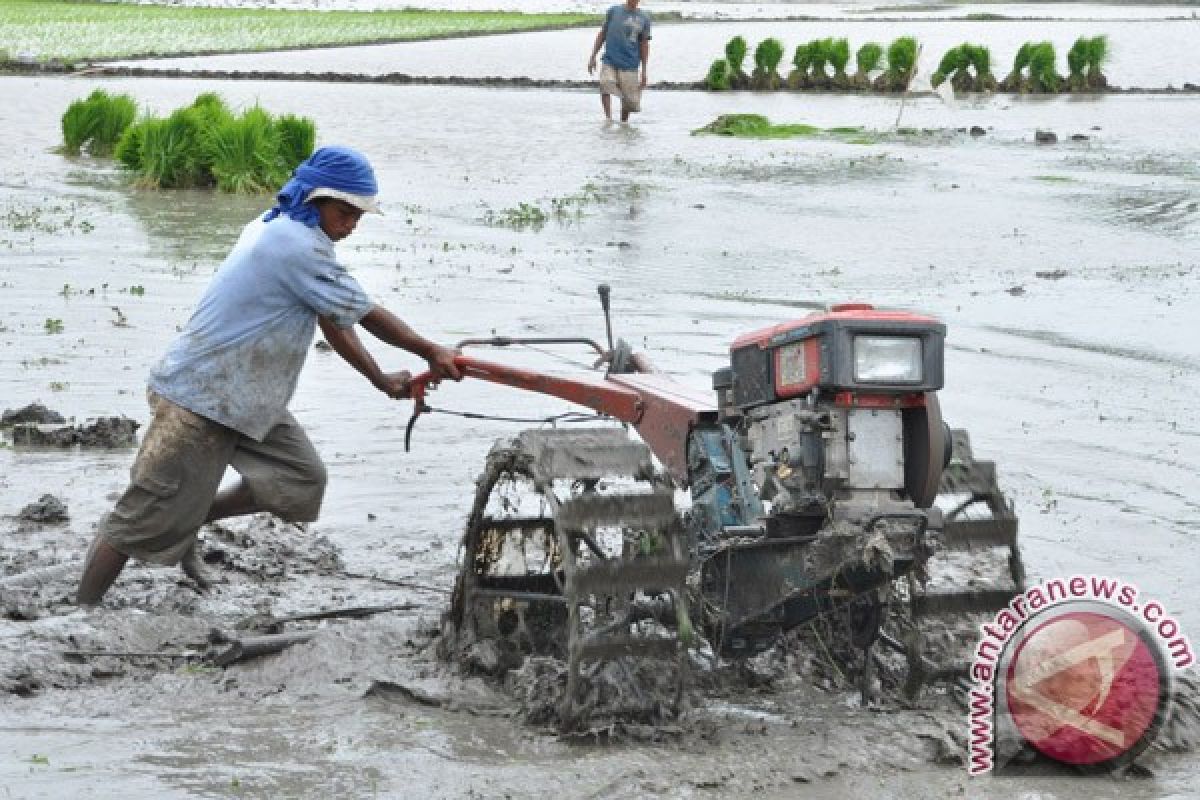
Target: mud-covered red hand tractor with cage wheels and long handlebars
(824, 486)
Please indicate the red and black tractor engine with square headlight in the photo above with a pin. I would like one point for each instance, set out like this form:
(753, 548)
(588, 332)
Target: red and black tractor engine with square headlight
(837, 413)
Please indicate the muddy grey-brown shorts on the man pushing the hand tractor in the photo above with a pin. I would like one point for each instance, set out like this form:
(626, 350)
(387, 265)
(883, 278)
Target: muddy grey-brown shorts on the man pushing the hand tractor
(179, 470)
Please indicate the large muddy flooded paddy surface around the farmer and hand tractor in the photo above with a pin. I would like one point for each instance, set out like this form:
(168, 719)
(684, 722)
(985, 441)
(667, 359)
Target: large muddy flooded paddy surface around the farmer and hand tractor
(1078, 383)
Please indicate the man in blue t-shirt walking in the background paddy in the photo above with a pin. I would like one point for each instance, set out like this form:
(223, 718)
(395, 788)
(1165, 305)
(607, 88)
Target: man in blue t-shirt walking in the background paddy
(626, 39)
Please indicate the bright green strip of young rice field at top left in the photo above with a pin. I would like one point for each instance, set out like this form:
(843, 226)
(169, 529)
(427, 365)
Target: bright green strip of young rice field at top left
(74, 32)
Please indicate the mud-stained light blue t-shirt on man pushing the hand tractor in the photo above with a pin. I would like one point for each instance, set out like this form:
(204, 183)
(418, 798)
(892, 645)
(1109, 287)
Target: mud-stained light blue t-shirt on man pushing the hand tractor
(239, 358)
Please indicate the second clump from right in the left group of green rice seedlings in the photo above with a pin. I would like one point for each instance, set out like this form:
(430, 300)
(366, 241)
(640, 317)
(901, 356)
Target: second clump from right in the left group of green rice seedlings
(245, 154)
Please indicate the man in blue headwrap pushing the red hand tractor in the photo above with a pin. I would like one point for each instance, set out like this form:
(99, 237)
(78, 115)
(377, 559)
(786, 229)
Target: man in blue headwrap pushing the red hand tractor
(220, 394)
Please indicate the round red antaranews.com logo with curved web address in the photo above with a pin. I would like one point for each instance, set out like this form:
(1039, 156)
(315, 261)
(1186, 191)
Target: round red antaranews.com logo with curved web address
(1079, 670)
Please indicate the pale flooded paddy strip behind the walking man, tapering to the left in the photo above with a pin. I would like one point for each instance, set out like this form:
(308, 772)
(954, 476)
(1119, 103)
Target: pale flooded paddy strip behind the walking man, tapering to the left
(1145, 53)
